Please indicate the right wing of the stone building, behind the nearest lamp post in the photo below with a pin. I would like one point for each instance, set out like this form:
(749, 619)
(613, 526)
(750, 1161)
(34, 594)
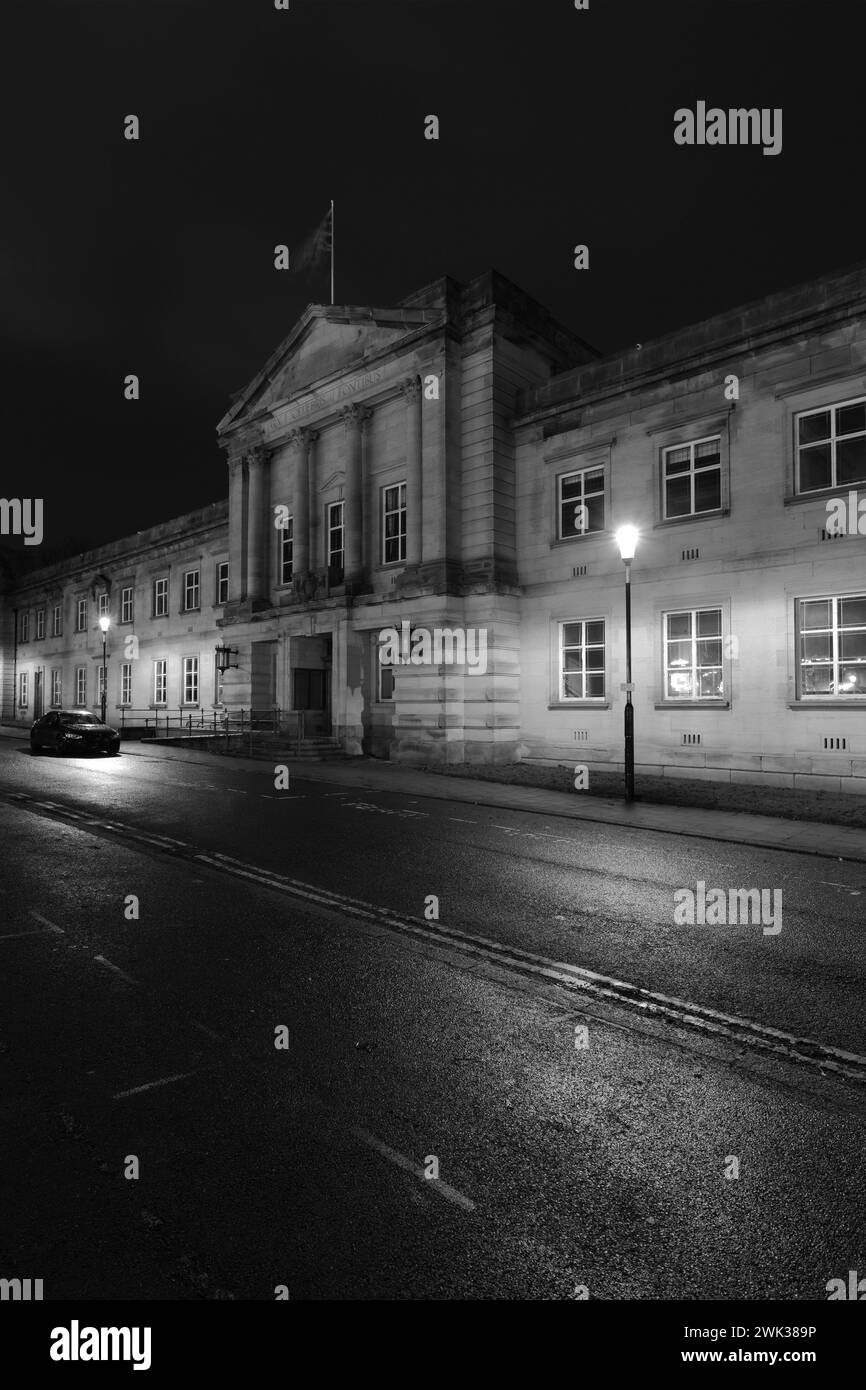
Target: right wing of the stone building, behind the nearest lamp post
(733, 447)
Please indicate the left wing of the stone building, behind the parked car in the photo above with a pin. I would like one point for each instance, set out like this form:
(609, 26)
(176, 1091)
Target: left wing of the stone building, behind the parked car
(162, 590)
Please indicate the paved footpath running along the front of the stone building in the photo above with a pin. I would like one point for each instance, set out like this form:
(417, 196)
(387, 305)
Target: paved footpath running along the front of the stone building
(842, 843)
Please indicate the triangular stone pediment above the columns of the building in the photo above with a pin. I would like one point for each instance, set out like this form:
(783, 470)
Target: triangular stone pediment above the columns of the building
(327, 343)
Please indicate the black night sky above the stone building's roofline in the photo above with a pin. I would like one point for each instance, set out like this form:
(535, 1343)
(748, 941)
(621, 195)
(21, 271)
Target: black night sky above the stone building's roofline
(557, 129)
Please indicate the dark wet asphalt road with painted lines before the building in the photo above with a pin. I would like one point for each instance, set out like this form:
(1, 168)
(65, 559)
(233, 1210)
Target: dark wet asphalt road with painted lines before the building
(561, 1167)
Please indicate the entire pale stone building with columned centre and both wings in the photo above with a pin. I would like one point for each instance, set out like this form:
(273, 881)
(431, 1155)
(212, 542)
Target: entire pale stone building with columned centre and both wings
(452, 472)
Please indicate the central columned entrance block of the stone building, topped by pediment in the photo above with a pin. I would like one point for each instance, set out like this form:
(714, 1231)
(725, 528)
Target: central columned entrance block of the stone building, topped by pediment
(372, 484)
